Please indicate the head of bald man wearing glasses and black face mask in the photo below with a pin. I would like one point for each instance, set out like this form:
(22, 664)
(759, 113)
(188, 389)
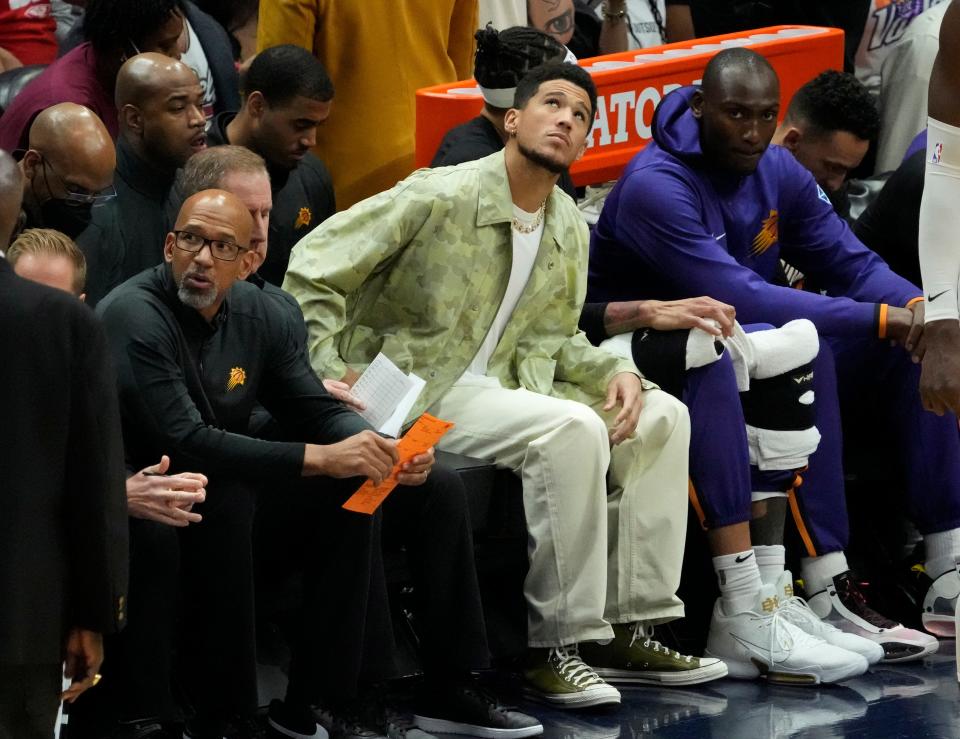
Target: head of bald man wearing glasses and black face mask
(68, 168)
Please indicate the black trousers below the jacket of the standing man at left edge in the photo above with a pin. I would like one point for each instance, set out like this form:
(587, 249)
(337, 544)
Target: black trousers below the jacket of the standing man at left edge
(29, 699)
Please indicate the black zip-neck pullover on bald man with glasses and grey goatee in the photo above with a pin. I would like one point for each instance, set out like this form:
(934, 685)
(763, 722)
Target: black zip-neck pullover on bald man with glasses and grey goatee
(187, 387)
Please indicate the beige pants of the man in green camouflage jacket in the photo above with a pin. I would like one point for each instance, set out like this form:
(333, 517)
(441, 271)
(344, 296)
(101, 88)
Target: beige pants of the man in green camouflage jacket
(601, 550)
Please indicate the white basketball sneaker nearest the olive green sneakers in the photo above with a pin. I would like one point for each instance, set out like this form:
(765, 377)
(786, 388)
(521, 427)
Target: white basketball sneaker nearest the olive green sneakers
(763, 643)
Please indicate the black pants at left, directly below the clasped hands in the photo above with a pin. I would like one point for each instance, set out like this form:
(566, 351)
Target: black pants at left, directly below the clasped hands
(190, 601)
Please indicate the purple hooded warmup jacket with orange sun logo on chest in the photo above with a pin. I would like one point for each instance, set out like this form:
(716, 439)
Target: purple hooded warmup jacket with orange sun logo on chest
(672, 228)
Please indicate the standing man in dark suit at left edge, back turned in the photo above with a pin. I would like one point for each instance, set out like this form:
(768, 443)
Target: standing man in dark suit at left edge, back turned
(63, 534)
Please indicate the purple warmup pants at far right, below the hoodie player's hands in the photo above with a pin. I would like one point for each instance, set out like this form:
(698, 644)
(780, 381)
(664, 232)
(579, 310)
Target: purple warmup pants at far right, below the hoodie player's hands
(873, 372)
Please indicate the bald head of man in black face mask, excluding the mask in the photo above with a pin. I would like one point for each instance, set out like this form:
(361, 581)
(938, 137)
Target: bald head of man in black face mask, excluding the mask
(77, 146)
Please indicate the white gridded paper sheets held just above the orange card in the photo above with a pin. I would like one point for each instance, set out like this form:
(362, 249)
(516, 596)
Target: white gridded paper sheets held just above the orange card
(388, 393)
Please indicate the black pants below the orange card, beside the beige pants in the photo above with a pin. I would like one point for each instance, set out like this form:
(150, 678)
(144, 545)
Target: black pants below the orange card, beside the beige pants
(344, 639)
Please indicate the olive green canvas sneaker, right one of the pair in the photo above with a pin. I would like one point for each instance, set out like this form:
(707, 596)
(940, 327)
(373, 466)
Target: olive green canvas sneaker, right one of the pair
(635, 657)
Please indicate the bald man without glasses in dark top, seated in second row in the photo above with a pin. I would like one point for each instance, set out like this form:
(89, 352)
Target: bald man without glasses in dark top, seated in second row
(161, 127)
